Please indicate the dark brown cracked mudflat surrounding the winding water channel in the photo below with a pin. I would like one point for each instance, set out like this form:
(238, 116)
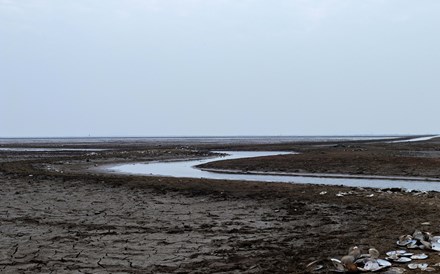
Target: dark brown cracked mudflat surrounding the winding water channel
(59, 214)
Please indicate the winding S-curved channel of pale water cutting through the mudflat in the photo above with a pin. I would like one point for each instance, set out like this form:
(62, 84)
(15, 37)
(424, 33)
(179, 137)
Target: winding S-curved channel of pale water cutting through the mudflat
(186, 169)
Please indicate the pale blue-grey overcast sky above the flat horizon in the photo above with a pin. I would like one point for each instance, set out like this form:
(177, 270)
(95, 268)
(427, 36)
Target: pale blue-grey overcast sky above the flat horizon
(218, 67)
